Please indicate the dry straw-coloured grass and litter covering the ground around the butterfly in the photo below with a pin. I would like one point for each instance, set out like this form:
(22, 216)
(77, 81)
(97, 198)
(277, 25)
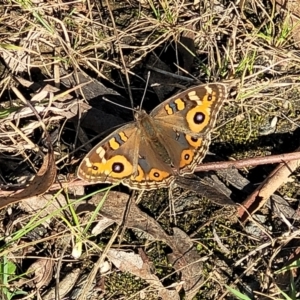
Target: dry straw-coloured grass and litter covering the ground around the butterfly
(116, 43)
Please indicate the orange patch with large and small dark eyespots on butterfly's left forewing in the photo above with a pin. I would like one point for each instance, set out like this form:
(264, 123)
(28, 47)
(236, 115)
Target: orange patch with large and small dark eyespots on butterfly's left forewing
(117, 167)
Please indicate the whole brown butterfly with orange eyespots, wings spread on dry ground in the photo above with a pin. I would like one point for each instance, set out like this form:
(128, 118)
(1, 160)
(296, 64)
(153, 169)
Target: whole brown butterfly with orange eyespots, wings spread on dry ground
(170, 141)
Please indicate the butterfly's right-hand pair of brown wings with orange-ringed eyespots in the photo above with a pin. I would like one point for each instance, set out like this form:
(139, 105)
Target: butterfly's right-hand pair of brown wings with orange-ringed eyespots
(185, 121)
